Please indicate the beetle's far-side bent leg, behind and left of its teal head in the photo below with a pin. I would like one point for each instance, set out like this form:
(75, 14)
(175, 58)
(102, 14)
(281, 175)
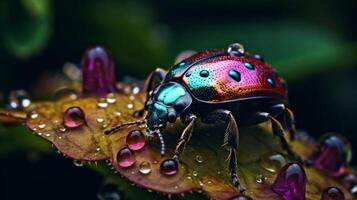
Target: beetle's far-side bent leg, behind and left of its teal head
(150, 85)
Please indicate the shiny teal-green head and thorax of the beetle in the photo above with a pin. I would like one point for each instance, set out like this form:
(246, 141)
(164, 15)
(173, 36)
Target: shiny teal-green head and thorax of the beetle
(168, 101)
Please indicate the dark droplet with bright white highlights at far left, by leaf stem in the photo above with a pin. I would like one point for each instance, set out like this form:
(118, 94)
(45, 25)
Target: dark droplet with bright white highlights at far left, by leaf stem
(19, 99)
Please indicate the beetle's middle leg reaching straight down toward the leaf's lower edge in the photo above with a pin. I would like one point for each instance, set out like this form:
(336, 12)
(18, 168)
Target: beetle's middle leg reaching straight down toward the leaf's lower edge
(231, 139)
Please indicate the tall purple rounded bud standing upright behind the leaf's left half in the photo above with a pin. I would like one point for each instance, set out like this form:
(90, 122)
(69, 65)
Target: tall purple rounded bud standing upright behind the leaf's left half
(98, 72)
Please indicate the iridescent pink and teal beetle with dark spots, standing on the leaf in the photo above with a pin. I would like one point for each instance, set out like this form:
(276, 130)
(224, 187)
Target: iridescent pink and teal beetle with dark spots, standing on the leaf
(217, 86)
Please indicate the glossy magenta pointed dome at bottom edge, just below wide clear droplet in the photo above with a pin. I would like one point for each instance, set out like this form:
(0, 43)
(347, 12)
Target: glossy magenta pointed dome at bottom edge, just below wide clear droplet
(290, 183)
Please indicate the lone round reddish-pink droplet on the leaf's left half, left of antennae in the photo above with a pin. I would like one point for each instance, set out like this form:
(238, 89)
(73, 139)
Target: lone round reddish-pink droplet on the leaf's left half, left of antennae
(73, 117)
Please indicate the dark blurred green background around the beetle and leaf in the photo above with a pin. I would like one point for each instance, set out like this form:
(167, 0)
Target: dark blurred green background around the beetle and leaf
(313, 44)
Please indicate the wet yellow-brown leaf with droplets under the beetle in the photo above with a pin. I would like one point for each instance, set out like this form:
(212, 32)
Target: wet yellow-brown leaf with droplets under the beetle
(202, 167)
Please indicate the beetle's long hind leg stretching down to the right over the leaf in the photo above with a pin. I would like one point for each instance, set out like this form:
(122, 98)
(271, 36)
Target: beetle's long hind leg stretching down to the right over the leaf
(278, 130)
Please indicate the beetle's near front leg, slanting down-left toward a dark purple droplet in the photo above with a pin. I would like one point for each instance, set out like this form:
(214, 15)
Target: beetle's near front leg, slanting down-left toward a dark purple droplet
(185, 136)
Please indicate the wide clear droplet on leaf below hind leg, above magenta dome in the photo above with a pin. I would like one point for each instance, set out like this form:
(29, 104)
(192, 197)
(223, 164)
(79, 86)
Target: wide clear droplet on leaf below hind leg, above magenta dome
(272, 162)
